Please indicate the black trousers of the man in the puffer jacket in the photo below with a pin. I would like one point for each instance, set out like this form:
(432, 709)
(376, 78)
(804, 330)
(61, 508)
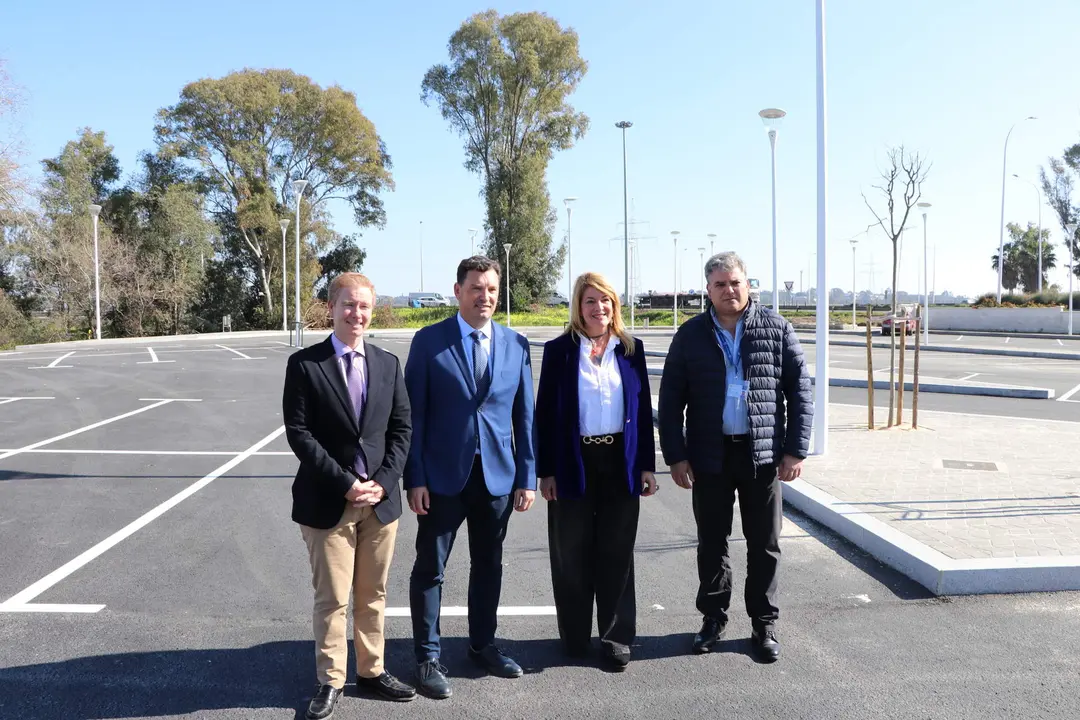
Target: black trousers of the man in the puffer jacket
(762, 510)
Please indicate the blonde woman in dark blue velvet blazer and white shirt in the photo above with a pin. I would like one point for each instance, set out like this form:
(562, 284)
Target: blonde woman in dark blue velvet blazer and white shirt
(596, 457)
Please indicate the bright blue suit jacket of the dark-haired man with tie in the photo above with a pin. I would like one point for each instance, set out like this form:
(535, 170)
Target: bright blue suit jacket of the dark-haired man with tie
(449, 415)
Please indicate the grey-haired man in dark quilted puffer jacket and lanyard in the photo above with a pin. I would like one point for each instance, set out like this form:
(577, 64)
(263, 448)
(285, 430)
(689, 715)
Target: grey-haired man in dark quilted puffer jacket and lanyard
(738, 374)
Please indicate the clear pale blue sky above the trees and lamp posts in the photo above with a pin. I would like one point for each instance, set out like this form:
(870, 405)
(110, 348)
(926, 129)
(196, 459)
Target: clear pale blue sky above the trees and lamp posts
(948, 79)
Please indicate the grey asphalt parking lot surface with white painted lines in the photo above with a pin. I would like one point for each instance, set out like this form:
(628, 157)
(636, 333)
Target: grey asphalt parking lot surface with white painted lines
(207, 604)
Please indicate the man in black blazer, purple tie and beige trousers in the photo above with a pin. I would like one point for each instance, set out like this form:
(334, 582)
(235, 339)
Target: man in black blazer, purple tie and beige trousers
(348, 420)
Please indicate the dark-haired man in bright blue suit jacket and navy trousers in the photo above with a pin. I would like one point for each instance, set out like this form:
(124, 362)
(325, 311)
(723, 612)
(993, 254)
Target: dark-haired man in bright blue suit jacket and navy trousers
(470, 387)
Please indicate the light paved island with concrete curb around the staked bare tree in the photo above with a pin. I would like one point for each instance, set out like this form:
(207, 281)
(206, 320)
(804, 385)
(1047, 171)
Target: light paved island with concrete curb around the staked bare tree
(962, 494)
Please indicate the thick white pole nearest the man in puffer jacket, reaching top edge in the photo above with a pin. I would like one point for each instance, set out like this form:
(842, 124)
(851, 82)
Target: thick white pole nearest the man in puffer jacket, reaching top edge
(821, 337)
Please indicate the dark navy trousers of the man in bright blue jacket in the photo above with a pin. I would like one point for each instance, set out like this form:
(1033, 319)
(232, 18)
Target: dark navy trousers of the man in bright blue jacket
(488, 518)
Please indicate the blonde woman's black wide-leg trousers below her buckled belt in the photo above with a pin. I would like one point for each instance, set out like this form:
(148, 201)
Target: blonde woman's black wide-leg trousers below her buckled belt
(592, 553)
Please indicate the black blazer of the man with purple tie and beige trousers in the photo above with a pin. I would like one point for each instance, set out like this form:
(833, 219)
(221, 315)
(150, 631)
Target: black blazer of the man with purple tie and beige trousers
(322, 431)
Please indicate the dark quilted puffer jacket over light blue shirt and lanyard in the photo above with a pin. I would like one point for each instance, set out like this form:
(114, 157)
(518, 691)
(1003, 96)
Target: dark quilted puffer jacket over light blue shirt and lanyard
(695, 381)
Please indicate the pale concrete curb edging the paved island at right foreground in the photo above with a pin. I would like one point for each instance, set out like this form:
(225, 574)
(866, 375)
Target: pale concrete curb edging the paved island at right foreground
(939, 574)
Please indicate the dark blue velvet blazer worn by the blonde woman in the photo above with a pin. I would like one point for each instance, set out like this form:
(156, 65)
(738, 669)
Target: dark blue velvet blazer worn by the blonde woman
(559, 426)
